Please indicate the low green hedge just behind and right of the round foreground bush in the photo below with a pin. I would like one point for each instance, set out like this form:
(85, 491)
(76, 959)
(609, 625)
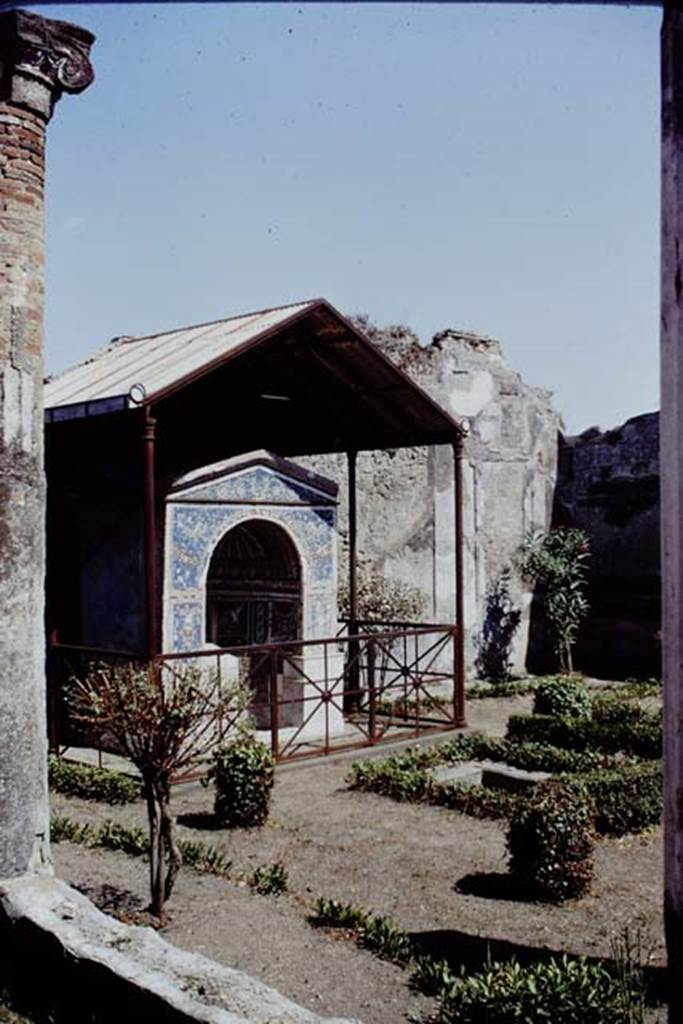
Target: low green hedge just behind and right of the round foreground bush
(626, 800)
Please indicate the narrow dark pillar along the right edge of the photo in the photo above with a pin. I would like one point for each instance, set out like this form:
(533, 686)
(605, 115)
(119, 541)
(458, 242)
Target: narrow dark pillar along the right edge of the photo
(671, 461)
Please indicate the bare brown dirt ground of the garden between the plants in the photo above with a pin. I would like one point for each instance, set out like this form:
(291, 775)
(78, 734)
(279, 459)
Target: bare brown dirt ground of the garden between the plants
(400, 860)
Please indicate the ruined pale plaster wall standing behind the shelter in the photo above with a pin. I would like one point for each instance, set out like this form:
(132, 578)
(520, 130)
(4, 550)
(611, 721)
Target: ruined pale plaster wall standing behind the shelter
(406, 499)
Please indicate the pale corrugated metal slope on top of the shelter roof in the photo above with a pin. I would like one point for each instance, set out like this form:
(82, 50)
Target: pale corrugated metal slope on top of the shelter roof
(141, 368)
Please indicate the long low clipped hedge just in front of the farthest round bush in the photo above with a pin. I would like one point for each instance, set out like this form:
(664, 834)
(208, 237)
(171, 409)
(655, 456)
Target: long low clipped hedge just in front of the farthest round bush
(636, 732)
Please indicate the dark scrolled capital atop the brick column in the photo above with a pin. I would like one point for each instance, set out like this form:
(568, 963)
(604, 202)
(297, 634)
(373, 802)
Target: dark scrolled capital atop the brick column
(40, 60)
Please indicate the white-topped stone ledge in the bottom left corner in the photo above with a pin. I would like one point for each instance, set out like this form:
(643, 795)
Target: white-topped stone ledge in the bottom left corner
(61, 953)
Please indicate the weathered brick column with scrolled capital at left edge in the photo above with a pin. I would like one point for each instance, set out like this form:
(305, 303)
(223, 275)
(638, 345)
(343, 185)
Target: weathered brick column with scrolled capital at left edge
(40, 59)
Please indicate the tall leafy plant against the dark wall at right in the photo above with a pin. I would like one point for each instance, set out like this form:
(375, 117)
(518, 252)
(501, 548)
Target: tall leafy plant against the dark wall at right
(558, 562)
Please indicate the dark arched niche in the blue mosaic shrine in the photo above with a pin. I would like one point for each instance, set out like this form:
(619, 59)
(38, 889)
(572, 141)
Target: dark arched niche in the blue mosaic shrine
(254, 596)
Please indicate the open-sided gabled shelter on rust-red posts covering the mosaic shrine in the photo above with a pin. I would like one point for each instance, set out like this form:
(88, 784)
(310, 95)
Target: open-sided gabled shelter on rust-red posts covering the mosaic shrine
(147, 417)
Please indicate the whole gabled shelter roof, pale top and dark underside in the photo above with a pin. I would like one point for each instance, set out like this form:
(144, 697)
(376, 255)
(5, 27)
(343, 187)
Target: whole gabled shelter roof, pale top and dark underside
(296, 380)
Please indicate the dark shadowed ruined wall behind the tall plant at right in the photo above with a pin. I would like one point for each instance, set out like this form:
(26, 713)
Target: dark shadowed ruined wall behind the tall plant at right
(610, 487)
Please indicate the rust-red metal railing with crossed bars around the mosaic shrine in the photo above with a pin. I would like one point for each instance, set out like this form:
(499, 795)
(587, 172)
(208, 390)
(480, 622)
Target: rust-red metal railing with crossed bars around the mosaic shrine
(375, 684)
